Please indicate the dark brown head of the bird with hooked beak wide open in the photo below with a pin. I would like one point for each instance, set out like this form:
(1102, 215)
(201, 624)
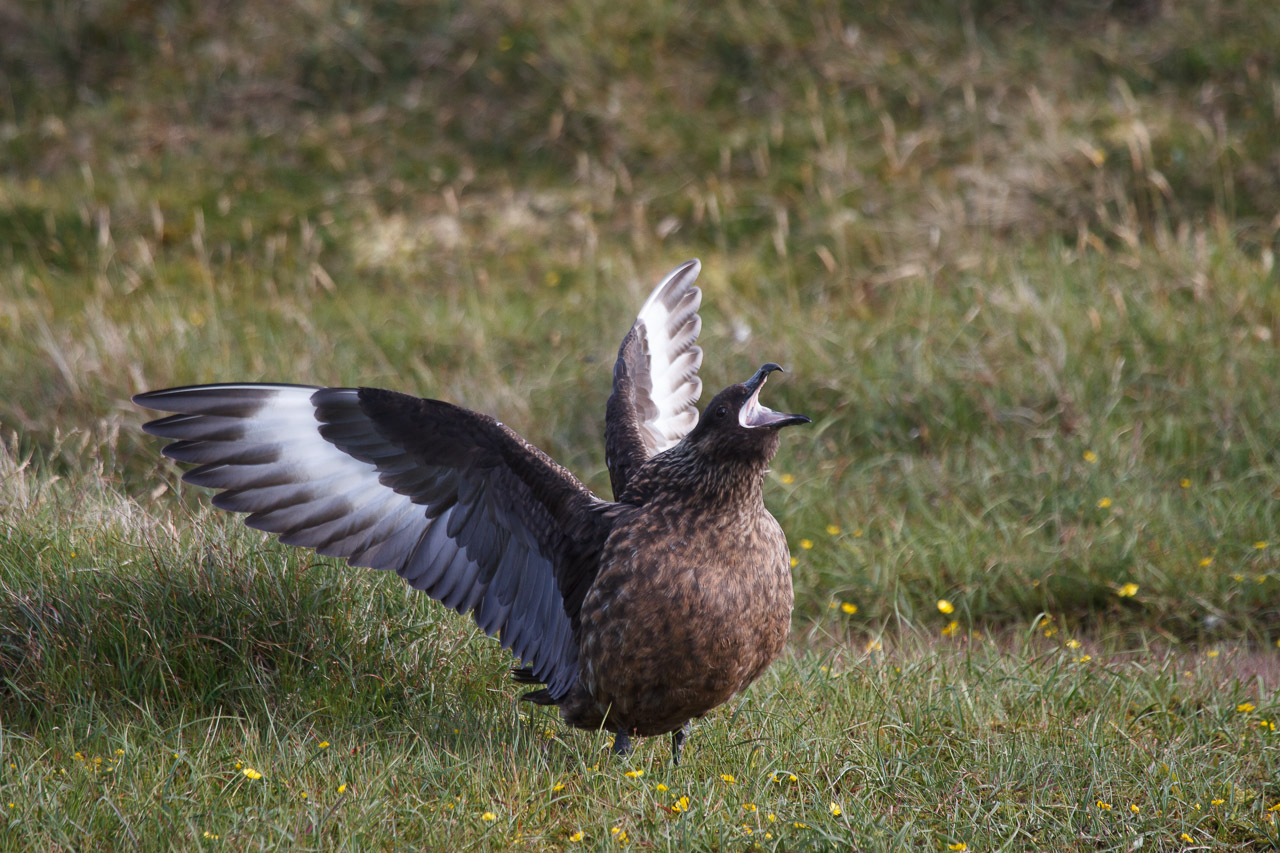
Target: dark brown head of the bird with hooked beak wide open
(737, 426)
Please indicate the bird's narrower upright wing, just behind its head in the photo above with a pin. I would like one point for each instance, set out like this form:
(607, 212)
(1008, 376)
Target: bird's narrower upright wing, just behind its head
(656, 385)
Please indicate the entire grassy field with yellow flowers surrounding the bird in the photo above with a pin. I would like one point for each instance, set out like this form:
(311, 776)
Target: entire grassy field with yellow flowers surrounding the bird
(1020, 261)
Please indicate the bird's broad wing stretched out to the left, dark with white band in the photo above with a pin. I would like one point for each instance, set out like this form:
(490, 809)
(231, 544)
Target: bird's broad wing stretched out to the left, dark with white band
(454, 501)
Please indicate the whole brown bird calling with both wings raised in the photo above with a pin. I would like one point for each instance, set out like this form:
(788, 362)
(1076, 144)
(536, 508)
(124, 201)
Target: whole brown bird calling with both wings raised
(639, 615)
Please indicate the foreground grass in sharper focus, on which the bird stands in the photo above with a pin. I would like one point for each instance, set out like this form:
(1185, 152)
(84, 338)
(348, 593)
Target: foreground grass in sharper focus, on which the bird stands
(166, 687)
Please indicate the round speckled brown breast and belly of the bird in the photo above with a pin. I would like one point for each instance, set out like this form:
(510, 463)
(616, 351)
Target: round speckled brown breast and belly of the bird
(671, 630)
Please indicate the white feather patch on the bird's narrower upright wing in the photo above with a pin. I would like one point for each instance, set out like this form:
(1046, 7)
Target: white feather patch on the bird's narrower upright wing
(669, 327)
